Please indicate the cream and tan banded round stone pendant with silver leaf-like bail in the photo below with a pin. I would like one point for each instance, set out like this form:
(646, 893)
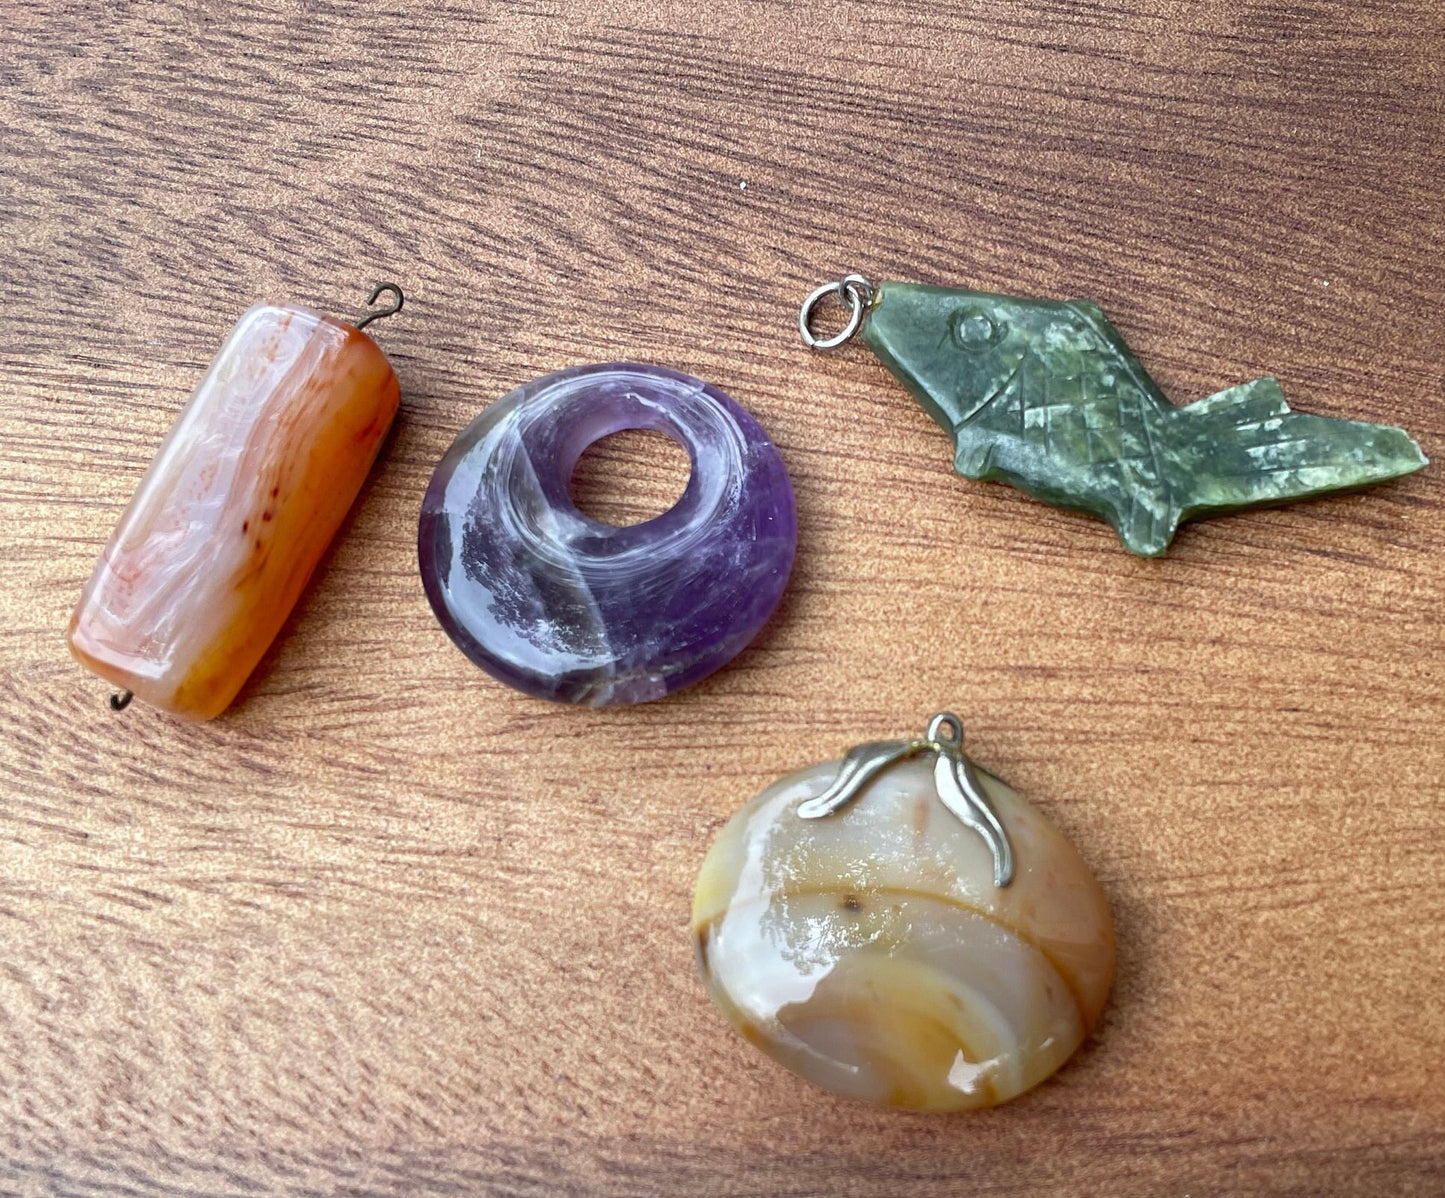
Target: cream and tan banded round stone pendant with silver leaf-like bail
(901, 927)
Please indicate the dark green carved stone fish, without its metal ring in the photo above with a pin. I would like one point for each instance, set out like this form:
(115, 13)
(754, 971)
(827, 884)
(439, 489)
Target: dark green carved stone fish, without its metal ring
(1047, 397)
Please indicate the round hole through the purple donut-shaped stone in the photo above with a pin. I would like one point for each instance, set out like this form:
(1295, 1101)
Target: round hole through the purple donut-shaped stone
(631, 476)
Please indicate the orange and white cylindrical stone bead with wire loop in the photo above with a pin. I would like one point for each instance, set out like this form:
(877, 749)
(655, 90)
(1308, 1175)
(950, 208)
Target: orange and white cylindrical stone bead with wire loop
(238, 508)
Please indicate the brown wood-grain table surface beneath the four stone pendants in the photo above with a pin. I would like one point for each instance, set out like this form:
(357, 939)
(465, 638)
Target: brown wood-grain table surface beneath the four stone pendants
(388, 928)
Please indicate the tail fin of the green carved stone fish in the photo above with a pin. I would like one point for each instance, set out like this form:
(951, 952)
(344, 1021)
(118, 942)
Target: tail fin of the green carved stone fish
(1249, 449)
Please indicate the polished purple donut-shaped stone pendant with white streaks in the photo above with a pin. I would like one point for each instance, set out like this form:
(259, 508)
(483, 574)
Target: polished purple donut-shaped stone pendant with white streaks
(564, 608)
